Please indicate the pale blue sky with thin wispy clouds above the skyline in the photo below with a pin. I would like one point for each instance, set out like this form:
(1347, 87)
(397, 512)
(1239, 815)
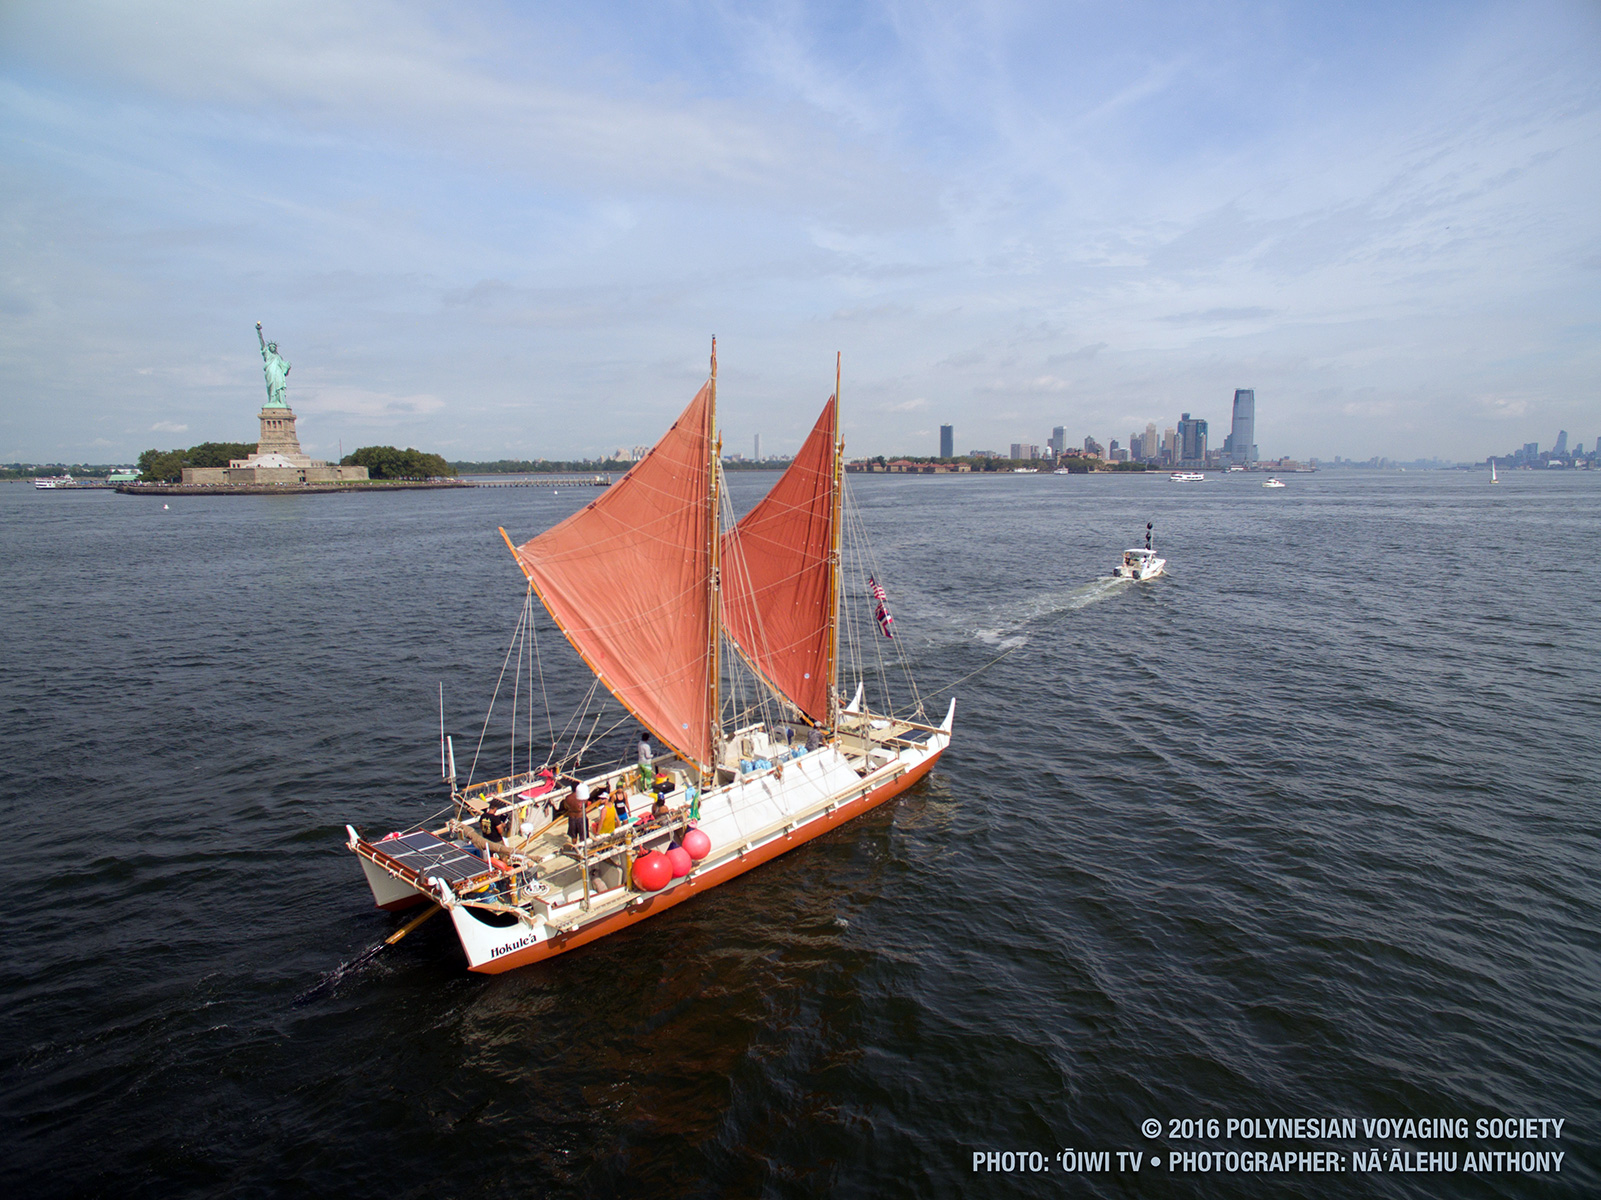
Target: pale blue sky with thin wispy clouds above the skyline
(512, 230)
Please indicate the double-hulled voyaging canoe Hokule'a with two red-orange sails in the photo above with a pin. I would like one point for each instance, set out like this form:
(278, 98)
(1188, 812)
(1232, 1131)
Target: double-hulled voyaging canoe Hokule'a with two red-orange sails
(758, 751)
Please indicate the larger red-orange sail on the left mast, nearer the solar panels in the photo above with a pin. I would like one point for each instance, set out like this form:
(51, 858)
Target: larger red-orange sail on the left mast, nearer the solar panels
(627, 578)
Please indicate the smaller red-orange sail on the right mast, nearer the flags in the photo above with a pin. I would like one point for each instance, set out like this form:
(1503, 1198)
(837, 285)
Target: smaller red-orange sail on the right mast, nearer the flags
(777, 577)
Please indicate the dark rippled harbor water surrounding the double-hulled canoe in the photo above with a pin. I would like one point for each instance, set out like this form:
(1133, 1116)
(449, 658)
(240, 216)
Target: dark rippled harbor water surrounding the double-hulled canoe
(1307, 828)
